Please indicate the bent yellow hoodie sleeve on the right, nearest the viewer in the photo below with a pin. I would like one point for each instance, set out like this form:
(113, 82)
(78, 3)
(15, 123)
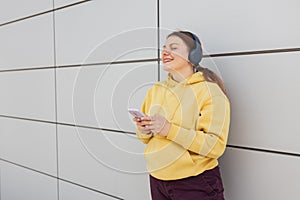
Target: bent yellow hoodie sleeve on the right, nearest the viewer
(210, 137)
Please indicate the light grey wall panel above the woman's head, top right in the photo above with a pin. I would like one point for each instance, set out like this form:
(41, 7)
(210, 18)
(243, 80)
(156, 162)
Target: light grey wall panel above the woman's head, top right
(233, 25)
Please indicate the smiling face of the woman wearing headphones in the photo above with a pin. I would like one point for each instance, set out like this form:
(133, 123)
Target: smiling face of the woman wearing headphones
(175, 54)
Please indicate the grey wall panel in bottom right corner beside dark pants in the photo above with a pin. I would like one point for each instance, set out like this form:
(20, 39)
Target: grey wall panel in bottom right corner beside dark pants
(252, 175)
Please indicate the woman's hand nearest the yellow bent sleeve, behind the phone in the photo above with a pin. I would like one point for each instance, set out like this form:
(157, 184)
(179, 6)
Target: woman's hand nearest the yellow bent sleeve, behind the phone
(159, 125)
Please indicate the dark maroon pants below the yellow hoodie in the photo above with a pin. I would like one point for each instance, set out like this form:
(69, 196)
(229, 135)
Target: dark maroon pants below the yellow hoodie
(206, 186)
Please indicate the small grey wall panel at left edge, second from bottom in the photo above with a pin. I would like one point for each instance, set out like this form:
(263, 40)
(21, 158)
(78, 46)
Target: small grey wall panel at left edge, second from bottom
(31, 144)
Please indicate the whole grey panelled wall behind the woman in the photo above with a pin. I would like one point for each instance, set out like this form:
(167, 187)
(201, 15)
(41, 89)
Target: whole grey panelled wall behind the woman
(70, 69)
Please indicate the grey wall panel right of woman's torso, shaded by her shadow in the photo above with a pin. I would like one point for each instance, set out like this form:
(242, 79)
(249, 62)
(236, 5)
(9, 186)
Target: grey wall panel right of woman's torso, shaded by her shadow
(263, 93)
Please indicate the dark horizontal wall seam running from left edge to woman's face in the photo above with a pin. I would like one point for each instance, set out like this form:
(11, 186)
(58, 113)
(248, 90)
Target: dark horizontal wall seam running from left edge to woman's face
(81, 65)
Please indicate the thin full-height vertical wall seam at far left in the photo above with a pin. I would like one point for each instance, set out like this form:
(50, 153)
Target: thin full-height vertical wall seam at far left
(55, 100)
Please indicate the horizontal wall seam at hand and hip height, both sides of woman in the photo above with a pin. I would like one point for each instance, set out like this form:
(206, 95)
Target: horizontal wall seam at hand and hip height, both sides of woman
(133, 133)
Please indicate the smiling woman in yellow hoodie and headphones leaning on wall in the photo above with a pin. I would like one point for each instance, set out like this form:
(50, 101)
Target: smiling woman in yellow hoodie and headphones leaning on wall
(187, 125)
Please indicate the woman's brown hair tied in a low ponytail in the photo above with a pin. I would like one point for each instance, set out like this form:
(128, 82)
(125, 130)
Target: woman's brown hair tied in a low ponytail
(209, 75)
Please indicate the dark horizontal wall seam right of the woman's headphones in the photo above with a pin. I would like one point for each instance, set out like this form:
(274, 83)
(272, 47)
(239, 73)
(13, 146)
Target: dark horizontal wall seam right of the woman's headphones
(253, 52)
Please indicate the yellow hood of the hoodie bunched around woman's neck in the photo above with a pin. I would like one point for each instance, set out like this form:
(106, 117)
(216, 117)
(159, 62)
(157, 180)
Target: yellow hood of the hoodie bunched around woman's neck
(194, 78)
